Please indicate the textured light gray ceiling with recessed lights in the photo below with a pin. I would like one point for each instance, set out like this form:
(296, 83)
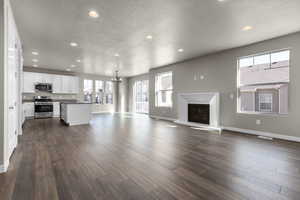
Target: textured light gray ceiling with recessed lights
(197, 26)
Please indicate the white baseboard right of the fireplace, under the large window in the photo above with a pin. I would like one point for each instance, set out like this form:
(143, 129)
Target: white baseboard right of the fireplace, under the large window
(262, 133)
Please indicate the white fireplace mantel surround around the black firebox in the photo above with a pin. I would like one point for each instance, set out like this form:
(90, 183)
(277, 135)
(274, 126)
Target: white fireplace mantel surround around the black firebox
(211, 98)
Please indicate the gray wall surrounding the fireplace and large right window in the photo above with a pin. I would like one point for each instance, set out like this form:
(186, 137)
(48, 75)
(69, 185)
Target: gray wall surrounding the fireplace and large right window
(220, 72)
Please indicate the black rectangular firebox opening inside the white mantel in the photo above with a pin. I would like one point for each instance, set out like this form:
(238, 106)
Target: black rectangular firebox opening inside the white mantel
(198, 113)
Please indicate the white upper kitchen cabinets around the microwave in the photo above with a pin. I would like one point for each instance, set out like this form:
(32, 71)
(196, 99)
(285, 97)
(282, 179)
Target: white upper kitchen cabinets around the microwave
(60, 84)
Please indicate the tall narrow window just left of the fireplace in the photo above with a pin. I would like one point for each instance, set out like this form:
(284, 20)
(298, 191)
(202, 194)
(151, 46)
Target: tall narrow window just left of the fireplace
(163, 89)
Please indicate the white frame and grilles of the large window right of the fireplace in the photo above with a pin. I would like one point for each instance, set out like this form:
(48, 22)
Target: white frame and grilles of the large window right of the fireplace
(238, 85)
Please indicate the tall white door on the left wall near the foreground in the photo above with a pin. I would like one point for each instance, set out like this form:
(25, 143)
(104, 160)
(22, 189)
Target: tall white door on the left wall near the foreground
(12, 85)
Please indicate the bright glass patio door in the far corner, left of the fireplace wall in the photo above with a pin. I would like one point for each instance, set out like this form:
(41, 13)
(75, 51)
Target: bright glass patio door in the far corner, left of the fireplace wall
(140, 96)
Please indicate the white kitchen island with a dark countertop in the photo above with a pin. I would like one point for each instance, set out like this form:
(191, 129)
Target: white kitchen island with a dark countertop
(75, 113)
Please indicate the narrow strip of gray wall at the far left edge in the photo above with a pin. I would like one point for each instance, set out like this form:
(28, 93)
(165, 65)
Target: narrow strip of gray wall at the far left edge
(1, 82)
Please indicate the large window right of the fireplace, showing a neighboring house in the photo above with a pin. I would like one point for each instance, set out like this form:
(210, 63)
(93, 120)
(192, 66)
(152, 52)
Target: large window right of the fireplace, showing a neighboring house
(263, 82)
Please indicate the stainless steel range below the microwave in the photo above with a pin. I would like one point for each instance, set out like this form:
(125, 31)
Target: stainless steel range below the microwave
(43, 107)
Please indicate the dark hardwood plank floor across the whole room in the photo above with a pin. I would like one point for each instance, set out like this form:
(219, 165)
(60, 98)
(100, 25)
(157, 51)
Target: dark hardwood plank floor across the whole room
(134, 157)
